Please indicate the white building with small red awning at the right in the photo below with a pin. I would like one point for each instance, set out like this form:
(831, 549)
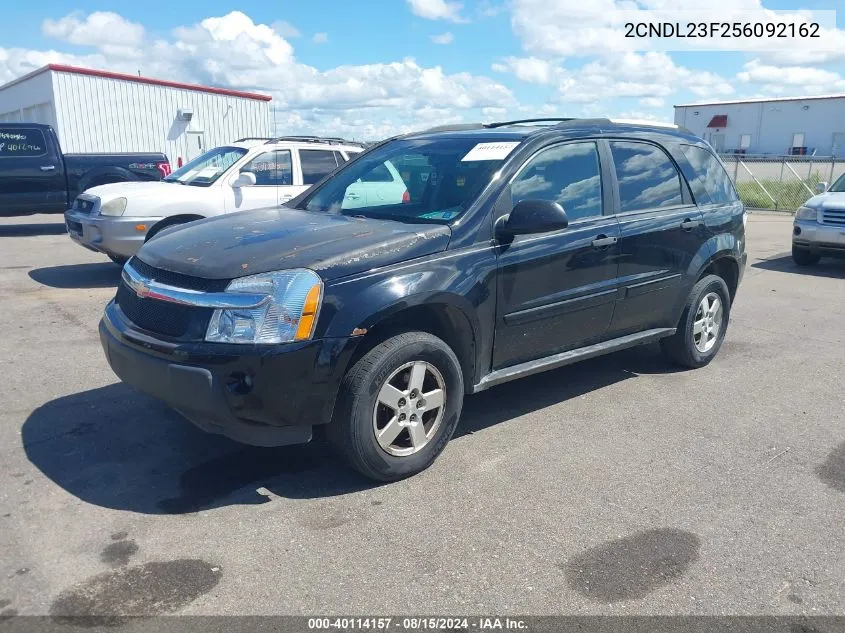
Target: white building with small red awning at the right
(781, 125)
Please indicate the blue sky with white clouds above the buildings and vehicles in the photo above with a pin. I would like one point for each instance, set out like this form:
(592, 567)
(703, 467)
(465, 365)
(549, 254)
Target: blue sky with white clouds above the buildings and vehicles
(375, 68)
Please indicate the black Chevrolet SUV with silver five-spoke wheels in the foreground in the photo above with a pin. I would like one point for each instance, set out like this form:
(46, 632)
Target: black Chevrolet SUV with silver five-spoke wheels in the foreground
(507, 249)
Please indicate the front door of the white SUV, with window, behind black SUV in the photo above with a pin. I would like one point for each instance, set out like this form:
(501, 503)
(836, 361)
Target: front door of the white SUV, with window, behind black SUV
(273, 180)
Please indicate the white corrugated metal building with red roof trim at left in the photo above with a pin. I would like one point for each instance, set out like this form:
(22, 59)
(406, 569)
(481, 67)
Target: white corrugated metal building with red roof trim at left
(99, 111)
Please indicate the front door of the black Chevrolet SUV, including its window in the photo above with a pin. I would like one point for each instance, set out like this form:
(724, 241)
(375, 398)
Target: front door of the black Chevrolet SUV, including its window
(556, 290)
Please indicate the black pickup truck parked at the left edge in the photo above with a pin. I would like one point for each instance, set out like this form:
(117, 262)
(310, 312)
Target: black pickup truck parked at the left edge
(35, 177)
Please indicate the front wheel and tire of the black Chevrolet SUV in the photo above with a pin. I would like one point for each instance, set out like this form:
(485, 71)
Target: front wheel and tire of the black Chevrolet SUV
(360, 414)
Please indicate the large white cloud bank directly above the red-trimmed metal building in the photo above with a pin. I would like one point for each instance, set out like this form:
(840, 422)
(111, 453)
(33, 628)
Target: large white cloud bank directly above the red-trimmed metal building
(367, 101)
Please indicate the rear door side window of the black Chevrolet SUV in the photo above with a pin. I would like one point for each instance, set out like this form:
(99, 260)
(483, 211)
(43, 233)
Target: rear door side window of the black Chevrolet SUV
(647, 178)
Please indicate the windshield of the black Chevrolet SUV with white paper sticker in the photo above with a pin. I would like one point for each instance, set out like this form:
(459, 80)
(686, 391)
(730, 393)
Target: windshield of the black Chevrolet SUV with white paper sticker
(412, 180)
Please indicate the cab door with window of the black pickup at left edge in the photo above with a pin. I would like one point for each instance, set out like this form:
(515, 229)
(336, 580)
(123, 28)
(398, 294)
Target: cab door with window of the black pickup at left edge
(32, 178)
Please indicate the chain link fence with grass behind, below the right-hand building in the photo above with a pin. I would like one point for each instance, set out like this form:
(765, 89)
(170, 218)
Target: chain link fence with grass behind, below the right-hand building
(781, 183)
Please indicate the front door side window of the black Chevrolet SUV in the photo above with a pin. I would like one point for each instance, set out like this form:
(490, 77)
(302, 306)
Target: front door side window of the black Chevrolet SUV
(568, 174)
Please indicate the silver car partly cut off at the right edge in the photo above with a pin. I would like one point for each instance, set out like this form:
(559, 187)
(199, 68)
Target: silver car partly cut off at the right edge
(819, 227)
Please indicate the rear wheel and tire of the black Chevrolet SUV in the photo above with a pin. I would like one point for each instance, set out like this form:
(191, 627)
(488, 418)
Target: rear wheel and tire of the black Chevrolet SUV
(690, 346)
